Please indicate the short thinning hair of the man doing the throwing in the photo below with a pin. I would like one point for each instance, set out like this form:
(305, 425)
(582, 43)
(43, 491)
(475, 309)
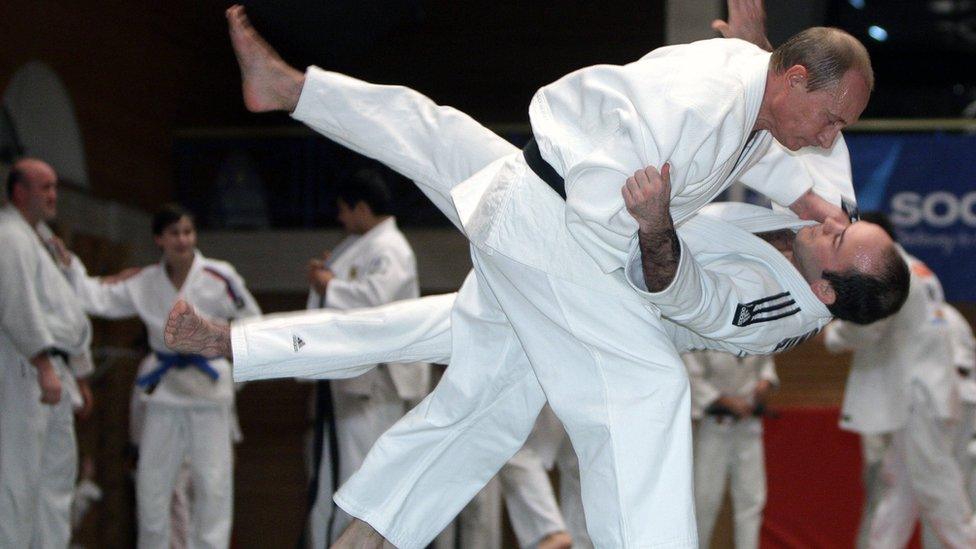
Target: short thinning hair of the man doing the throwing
(827, 53)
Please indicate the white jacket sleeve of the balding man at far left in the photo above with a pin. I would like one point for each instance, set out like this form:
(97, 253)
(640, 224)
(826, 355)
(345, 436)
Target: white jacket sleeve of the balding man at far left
(21, 313)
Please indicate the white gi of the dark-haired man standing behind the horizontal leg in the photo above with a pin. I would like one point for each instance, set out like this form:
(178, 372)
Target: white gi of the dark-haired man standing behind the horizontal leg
(371, 269)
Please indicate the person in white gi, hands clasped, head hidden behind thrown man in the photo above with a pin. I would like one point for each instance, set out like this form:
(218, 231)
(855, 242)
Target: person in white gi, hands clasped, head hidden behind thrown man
(727, 392)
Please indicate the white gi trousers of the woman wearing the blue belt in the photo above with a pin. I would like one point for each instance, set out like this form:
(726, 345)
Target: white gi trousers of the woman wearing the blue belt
(172, 435)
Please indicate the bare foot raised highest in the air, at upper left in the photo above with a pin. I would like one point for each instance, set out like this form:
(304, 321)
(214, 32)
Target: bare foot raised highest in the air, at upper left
(269, 84)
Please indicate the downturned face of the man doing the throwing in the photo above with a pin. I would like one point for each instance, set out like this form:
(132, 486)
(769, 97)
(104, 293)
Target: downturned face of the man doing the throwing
(803, 119)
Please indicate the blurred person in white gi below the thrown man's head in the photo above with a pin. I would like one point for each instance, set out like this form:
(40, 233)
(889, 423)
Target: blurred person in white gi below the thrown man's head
(902, 383)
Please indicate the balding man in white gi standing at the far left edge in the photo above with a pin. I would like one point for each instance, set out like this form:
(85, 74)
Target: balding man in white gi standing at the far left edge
(44, 357)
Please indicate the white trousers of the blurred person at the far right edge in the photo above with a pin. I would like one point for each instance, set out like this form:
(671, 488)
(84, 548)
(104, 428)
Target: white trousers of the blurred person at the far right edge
(921, 477)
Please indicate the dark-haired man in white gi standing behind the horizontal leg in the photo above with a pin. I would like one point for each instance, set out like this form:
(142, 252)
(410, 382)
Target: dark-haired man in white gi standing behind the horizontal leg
(372, 266)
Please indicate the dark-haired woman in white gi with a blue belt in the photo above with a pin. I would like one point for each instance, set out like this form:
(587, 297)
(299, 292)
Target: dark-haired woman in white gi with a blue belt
(189, 398)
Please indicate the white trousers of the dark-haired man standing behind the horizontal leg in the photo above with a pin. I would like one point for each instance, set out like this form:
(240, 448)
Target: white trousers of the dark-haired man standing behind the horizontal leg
(360, 420)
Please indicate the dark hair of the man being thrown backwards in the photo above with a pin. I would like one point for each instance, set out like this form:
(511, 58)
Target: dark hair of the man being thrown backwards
(863, 298)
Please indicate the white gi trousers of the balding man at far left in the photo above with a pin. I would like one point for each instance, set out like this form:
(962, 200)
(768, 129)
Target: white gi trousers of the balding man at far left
(38, 461)
